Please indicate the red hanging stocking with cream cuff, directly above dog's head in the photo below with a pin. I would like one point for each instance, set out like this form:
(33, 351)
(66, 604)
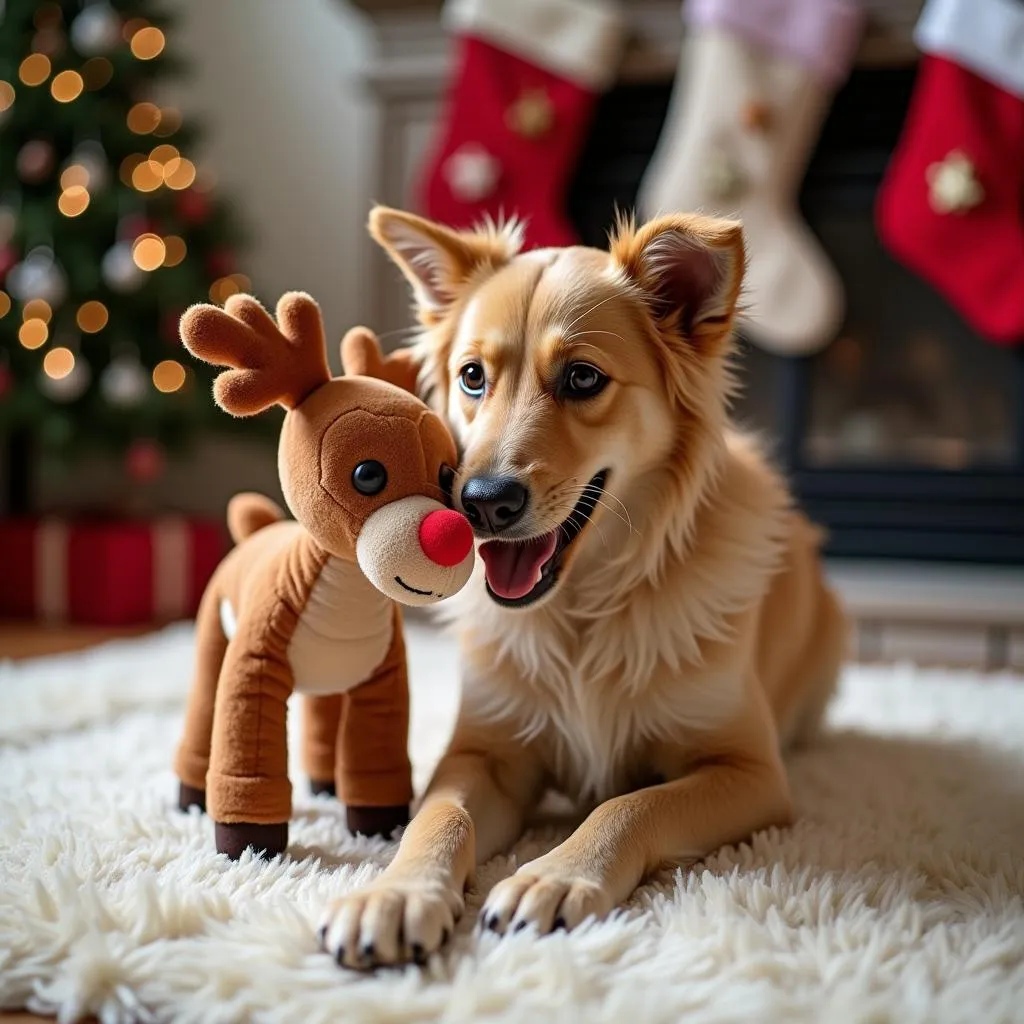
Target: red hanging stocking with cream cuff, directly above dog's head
(519, 109)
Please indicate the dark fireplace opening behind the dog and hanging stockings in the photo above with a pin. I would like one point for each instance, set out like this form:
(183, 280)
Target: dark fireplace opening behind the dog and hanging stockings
(906, 438)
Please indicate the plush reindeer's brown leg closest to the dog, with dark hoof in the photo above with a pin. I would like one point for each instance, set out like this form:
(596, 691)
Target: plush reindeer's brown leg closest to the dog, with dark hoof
(374, 776)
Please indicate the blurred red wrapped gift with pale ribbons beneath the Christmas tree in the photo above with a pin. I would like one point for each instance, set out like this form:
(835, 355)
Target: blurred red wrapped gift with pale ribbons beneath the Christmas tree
(107, 572)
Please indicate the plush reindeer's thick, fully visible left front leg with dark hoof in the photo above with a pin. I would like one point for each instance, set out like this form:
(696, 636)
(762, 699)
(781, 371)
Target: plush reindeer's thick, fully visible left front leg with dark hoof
(248, 792)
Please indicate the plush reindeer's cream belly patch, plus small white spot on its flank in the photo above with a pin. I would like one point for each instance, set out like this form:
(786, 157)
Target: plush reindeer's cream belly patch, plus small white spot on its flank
(344, 634)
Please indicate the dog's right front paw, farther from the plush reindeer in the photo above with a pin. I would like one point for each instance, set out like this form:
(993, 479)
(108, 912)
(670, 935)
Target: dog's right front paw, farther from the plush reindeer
(548, 893)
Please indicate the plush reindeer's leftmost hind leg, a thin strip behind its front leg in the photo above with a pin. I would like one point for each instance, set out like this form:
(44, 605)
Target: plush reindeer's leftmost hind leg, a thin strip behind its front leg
(193, 757)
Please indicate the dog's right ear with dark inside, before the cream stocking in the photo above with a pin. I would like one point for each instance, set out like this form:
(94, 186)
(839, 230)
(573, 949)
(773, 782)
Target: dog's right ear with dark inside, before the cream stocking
(691, 270)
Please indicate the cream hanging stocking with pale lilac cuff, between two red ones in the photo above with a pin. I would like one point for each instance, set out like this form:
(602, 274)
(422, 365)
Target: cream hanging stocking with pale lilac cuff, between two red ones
(755, 82)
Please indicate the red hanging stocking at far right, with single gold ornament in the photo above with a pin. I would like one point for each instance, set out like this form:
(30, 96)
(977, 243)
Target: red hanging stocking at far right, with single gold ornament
(952, 205)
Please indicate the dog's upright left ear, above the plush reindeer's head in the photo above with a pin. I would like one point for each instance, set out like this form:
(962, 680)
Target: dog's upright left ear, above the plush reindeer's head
(438, 262)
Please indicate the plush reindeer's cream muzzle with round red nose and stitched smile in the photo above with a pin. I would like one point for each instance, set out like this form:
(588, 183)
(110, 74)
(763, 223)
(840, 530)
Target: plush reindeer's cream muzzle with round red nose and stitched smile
(416, 551)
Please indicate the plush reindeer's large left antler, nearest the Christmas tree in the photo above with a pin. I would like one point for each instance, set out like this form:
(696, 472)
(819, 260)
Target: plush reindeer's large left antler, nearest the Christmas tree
(271, 363)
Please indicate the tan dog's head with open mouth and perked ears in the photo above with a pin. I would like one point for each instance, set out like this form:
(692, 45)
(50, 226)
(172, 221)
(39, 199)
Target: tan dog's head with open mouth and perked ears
(581, 385)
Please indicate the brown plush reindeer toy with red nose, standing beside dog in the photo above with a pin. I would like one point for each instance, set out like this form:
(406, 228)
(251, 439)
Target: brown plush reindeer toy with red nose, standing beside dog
(309, 606)
